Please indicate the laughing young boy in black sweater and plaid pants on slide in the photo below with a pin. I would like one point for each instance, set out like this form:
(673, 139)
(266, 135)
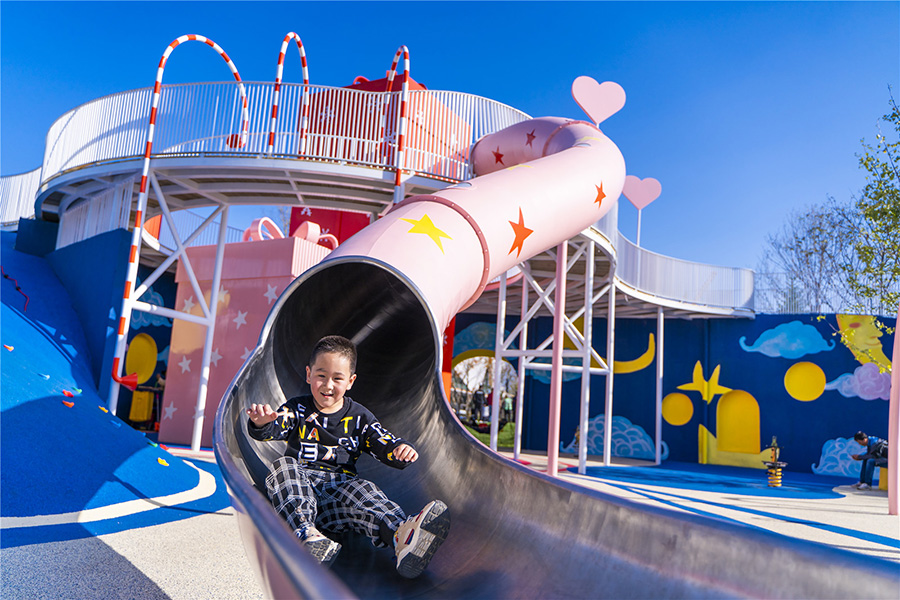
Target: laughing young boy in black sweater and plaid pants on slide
(315, 484)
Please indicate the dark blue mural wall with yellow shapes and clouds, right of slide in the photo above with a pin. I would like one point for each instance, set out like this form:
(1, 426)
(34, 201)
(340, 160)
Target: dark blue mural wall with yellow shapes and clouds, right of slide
(729, 386)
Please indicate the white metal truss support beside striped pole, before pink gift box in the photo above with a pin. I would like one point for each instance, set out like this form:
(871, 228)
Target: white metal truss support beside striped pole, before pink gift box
(132, 302)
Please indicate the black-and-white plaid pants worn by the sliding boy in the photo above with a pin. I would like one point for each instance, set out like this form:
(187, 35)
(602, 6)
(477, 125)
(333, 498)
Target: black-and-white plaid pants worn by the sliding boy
(333, 501)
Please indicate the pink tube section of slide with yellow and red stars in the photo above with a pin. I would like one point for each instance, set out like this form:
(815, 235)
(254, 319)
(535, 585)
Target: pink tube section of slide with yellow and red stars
(537, 184)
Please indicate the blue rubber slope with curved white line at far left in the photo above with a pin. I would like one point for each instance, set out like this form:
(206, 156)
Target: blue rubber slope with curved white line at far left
(68, 468)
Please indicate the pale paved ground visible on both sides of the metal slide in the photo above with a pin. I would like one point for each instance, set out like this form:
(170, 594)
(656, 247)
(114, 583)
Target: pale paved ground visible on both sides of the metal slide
(202, 557)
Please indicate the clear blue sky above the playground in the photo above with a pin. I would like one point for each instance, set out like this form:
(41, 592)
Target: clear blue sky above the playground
(745, 111)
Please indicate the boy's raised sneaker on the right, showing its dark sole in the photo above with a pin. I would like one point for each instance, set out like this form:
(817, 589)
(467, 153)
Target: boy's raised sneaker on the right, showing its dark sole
(417, 539)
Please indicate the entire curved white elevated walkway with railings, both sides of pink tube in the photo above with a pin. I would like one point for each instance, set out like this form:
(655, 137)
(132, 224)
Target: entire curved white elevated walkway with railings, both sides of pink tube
(326, 147)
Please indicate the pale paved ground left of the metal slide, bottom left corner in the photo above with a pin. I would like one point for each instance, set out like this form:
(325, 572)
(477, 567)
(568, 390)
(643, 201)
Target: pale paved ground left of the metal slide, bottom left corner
(198, 558)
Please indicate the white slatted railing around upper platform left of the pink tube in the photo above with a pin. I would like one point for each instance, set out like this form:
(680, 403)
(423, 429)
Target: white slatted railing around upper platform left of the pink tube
(344, 125)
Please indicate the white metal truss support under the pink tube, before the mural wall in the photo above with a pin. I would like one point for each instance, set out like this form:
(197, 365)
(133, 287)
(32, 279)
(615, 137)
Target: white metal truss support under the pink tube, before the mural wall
(564, 326)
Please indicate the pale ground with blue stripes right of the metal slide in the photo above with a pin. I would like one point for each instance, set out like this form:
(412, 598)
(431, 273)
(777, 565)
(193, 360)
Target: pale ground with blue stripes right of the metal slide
(840, 516)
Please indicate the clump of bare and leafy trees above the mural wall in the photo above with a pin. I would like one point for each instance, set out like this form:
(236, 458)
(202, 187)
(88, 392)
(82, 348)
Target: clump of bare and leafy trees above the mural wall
(843, 256)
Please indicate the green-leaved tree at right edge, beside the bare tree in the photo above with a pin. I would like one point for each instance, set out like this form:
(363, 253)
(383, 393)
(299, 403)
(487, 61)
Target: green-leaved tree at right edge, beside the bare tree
(876, 279)
